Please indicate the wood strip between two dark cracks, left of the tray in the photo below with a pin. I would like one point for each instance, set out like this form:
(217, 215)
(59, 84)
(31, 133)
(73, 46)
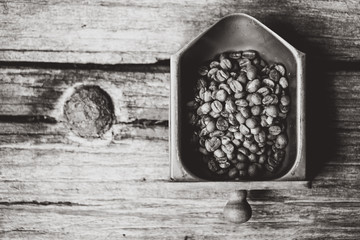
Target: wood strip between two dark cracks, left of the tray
(135, 94)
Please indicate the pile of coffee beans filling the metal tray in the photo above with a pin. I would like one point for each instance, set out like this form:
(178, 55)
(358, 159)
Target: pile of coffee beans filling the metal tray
(238, 115)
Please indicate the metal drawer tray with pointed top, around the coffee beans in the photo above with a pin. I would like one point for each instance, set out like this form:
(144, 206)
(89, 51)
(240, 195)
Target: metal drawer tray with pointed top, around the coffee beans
(234, 32)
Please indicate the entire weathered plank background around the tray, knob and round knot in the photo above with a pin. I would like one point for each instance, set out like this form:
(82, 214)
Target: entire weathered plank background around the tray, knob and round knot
(56, 186)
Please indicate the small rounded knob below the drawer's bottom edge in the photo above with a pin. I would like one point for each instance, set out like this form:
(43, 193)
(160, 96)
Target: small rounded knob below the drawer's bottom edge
(237, 209)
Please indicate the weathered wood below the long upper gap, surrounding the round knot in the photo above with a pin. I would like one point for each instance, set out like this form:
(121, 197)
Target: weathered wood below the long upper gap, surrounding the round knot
(56, 186)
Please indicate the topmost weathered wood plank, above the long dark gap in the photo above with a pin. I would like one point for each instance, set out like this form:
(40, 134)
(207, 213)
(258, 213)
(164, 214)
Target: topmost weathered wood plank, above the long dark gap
(147, 31)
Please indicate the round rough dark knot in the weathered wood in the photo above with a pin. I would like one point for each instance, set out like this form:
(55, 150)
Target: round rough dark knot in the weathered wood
(89, 111)
